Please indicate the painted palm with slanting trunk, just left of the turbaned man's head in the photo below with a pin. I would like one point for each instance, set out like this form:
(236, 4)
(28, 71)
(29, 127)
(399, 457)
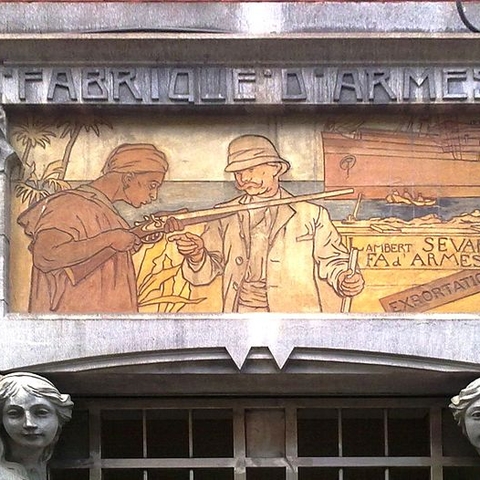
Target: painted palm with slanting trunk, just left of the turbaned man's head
(72, 127)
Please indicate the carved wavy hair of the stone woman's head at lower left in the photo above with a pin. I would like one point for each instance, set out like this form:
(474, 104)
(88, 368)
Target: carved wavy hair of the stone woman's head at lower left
(38, 386)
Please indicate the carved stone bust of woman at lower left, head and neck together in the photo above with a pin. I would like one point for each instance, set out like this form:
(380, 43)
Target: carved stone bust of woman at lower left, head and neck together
(33, 413)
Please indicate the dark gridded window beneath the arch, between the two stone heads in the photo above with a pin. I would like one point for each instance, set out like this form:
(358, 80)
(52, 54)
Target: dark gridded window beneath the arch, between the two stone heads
(238, 440)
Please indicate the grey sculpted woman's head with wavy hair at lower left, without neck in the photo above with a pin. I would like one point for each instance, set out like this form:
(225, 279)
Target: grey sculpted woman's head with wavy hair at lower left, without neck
(33, 413)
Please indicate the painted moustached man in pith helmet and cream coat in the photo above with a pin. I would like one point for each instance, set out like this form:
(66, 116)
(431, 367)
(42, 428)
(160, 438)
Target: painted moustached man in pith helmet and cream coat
(275, 259)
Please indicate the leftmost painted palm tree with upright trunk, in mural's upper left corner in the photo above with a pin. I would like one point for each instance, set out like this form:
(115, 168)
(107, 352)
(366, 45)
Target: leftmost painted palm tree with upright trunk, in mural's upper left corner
(31, 134)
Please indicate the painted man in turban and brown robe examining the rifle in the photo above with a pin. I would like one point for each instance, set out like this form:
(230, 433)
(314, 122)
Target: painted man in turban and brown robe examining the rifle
(69, 228)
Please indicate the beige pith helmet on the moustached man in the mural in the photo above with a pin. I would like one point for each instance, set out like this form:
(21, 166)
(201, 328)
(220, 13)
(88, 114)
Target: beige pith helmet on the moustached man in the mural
(249, 151)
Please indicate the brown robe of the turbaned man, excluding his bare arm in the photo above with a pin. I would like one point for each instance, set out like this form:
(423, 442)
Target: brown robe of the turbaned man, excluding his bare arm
(81, 213)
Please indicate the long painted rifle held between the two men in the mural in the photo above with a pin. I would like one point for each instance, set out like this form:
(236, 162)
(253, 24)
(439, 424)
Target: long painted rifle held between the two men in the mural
(151, 230)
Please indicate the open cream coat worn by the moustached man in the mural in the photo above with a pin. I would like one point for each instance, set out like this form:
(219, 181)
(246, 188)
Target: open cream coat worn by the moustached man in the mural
(305, 258)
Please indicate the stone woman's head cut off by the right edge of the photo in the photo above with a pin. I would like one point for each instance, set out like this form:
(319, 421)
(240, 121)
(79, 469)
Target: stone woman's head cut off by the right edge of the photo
(466, 410)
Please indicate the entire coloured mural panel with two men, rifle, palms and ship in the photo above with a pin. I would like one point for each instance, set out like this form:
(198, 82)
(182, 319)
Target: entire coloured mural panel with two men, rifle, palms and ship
(300, 213)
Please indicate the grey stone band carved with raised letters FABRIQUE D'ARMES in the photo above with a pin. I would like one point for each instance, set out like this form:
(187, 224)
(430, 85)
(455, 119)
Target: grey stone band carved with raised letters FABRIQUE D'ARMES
(261, 85)
